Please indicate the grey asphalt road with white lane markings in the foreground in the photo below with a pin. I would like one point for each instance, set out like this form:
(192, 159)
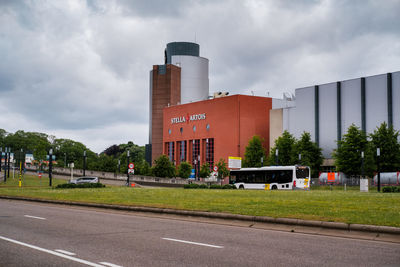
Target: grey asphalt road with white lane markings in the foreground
(48, 235)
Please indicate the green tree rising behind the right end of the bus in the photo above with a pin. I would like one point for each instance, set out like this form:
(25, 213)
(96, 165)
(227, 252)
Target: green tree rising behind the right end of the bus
(311, 154)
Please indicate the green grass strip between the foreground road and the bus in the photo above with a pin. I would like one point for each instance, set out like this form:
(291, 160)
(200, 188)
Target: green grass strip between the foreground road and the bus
(349, 206)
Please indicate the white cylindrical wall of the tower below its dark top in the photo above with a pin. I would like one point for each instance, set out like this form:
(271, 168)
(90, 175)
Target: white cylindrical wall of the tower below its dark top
(194, 78)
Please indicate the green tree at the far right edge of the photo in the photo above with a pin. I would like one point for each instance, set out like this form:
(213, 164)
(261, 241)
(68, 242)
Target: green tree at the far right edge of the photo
(387, 140)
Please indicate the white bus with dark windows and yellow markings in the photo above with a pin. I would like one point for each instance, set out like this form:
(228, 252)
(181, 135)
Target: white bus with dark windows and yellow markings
(271, 178)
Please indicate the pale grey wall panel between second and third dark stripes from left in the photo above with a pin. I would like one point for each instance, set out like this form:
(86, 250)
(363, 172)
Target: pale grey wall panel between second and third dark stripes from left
(351, 104)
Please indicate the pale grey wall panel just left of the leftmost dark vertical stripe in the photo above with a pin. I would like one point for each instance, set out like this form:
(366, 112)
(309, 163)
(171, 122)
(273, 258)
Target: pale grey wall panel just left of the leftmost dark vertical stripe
(304, 119)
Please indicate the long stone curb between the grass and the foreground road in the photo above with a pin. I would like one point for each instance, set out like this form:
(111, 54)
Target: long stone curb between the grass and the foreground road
(226, 216)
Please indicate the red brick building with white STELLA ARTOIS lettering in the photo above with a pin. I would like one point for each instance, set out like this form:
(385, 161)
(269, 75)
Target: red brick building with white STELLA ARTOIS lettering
(213, 129)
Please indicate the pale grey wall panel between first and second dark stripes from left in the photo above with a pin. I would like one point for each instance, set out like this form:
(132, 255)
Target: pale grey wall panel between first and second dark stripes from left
(328, 118)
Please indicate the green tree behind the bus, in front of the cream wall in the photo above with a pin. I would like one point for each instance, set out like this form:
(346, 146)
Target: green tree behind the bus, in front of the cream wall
(285, 146)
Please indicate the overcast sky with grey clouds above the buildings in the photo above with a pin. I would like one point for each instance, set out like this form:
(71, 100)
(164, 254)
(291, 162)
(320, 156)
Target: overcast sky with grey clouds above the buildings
(79, 69)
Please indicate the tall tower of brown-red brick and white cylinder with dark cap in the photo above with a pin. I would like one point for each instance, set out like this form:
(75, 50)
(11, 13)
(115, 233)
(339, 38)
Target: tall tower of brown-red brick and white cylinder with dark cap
(182, 79)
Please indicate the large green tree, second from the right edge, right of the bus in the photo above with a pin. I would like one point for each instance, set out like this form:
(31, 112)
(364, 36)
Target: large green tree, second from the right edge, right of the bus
(348, 154)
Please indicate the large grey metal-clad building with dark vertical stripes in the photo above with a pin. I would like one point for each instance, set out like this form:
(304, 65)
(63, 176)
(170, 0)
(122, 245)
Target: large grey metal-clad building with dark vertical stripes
(327, 110)
